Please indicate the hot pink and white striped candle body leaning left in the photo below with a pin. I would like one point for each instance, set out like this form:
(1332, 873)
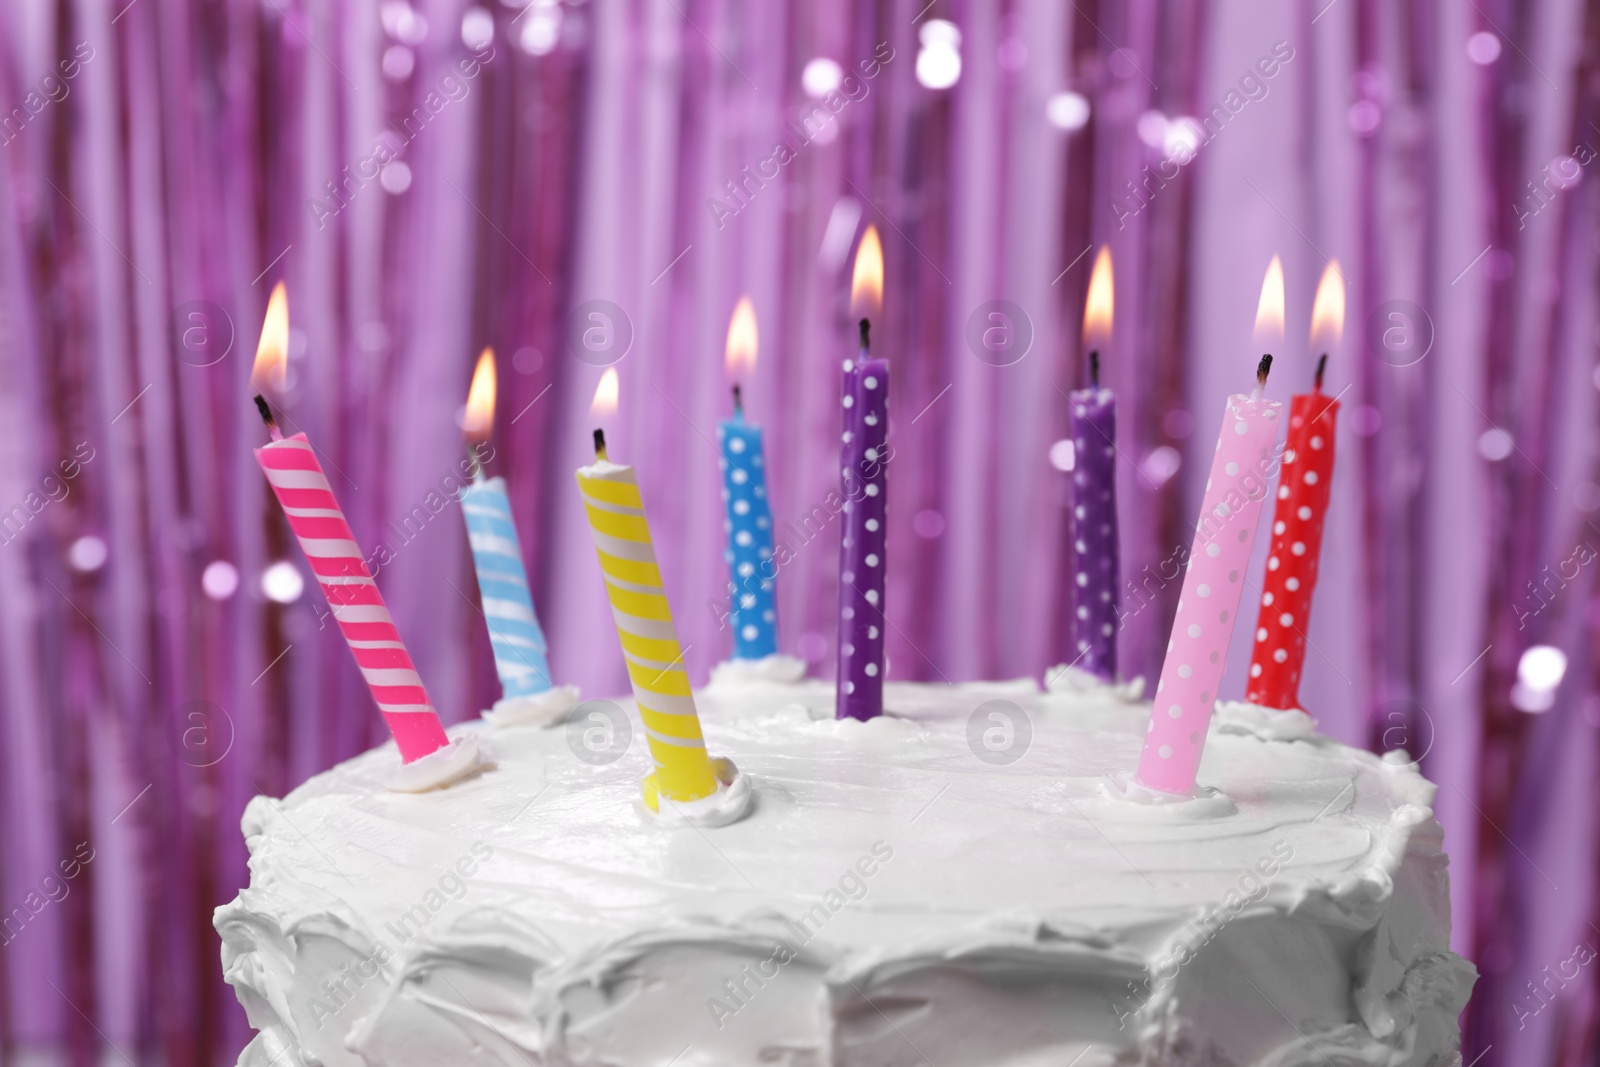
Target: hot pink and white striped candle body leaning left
(335, 559)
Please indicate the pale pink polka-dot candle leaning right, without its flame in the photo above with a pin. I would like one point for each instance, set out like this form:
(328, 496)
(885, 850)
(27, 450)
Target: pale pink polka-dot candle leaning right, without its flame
(1209, 607)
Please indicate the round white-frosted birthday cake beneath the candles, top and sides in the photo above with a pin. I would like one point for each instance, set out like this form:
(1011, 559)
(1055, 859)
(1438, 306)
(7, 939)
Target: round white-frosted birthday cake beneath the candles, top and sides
(951, 881)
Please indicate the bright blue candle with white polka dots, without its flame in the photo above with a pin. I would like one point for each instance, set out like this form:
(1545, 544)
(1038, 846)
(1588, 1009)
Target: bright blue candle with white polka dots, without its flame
(750, 526)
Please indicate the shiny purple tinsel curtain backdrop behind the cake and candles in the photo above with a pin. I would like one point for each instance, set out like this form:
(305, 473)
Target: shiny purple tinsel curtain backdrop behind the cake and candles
(434, 178)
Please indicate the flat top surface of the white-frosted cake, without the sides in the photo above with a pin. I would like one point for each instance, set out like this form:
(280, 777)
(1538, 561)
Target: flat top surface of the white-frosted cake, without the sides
(985, 815)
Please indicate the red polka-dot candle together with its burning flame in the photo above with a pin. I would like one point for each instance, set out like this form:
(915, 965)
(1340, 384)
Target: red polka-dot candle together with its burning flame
(1298, 518)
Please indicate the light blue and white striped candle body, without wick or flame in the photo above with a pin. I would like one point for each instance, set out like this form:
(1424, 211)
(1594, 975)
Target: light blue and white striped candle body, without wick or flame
(521, 650)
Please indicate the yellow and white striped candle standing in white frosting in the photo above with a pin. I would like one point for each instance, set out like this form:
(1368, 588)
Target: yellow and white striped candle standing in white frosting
(650, 642)
